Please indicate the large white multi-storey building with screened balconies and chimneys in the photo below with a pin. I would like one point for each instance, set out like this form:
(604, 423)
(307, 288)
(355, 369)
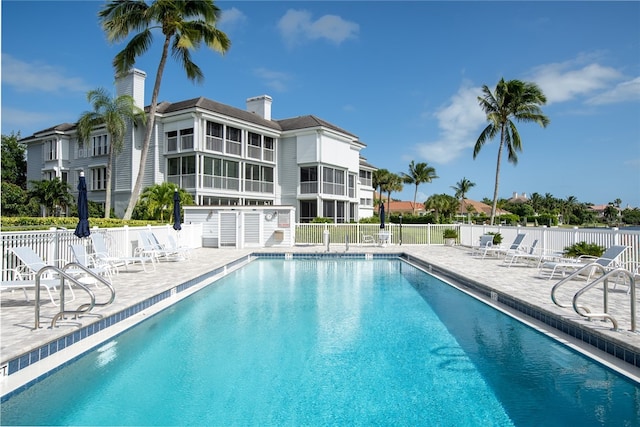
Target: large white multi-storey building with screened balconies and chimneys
(222, 155)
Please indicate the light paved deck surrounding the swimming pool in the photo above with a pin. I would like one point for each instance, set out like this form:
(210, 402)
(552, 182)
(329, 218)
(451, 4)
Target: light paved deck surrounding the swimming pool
(17, 317)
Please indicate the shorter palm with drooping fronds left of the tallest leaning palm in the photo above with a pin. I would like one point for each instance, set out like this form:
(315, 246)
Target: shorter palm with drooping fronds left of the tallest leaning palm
(113, 114)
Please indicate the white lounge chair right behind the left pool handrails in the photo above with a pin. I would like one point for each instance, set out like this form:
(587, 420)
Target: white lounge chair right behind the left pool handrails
(26, 274)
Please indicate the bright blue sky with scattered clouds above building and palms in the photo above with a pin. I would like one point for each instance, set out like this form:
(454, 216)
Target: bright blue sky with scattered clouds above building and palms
(403, 76)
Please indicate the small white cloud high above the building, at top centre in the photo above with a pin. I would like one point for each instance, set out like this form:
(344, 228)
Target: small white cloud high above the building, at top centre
(296, 26)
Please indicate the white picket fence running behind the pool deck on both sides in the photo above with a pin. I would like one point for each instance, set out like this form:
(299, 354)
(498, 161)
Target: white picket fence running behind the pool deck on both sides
(54, 243)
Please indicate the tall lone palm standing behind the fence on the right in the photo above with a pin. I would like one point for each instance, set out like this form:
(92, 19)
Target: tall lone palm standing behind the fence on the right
(512, 99)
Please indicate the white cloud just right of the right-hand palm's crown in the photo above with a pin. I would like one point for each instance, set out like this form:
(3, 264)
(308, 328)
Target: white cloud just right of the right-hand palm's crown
(562, 82)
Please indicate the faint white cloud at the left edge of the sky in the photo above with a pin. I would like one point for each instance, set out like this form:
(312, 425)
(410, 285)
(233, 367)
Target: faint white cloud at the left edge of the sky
(36, 77)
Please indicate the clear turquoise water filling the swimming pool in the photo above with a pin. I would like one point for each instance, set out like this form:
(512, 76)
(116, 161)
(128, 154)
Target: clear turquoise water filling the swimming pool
(320, 341)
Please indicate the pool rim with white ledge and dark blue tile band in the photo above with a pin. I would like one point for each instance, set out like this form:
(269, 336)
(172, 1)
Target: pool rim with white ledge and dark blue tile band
(23, 371)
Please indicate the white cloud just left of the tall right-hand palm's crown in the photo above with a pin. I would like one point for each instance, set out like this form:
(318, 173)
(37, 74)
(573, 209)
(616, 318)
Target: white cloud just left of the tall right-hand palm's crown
(459, 122)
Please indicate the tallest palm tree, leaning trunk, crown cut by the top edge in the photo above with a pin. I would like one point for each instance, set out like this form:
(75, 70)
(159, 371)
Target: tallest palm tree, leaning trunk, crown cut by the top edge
(185, 24)
